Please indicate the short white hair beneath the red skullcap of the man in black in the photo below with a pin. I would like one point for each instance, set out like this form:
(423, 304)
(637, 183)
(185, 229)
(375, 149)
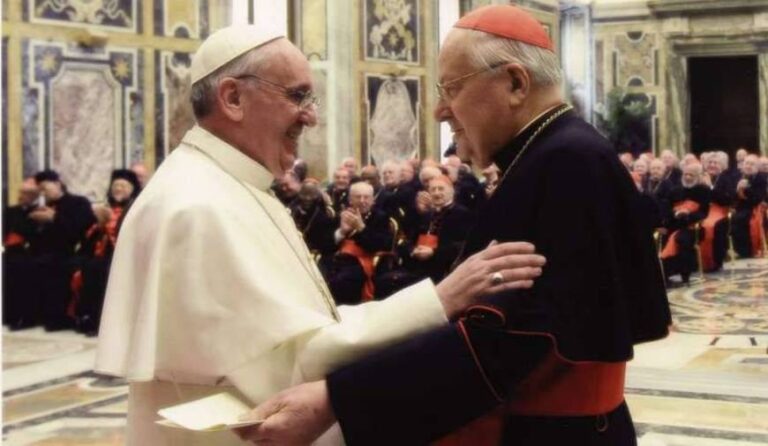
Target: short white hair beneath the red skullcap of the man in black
(488, 50)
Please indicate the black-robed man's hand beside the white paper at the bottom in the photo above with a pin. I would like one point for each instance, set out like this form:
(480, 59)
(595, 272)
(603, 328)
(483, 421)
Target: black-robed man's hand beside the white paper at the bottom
(294, 417)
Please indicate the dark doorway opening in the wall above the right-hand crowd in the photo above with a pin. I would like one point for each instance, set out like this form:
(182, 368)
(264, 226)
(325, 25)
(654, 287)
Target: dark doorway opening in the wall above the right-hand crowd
(724, 103)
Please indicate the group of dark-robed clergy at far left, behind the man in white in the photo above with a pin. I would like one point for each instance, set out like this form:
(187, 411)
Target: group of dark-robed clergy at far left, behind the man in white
(57, 249)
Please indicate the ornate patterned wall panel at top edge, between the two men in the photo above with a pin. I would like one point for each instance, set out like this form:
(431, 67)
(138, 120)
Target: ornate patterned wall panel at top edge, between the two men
(392, 30)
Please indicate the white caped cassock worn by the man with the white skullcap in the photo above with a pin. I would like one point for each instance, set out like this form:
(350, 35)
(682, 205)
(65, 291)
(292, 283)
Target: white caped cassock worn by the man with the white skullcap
(213, 289)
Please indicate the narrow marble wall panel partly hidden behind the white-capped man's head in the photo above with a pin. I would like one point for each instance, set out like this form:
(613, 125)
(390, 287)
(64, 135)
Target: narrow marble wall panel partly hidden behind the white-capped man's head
(174, 114)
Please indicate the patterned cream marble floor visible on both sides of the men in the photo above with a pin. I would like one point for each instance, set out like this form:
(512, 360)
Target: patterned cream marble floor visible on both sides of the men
(705, 385)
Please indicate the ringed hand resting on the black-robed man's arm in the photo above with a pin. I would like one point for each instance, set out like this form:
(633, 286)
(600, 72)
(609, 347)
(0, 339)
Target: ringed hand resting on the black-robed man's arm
(499, 267)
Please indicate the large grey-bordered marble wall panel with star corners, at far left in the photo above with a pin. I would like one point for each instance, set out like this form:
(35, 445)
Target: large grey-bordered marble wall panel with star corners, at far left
(82, 112)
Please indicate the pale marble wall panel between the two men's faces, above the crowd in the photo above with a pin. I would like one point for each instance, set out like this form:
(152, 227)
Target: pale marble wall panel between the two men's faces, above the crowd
(392, 127)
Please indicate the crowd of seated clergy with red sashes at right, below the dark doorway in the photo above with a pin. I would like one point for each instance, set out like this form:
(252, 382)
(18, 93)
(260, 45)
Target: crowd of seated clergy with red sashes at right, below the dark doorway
(704, 210)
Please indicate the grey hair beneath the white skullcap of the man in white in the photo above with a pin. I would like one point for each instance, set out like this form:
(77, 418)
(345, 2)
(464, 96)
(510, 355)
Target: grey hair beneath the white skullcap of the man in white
(203, 92)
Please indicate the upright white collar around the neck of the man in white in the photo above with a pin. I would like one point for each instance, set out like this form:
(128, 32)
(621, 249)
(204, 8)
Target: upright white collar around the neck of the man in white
(229, 158)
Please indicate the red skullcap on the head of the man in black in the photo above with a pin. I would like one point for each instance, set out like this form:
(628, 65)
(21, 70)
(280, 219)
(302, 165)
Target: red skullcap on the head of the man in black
(507, 21)
